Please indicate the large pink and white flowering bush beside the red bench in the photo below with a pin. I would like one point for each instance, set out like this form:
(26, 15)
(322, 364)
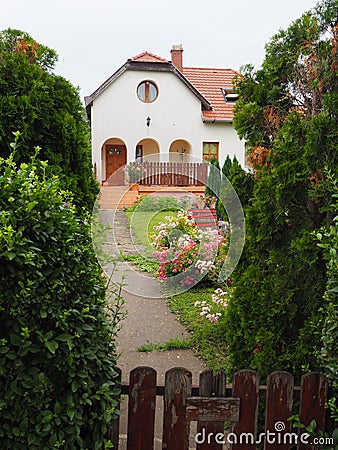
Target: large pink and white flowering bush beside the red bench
(187, 253)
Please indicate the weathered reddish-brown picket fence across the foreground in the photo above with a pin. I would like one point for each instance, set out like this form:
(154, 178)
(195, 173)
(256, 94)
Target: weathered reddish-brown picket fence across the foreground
(213, 403)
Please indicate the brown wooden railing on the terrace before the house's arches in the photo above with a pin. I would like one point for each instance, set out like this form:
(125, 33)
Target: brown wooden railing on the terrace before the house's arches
(173, 173)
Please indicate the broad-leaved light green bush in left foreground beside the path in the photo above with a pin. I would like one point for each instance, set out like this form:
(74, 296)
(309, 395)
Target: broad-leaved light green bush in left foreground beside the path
(57, 349)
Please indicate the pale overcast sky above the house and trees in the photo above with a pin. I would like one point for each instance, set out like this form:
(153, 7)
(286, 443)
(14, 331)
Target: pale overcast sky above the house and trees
(93, 38)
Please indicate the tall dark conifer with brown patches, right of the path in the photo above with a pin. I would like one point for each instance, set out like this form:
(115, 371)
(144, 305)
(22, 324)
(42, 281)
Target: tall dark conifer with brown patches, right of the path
(275, 315)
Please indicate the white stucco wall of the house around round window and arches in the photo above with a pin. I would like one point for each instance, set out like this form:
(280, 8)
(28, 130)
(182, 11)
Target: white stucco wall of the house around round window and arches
(175, 114)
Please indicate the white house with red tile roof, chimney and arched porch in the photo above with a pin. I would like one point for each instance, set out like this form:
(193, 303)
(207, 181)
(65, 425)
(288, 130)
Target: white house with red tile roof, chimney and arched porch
(160, 110)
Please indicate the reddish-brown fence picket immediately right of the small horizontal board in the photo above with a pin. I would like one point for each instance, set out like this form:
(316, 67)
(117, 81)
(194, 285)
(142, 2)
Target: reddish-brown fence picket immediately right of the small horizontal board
(246, 387)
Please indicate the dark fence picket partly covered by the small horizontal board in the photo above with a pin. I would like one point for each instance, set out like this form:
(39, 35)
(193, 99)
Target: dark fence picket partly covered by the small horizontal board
(211, 385)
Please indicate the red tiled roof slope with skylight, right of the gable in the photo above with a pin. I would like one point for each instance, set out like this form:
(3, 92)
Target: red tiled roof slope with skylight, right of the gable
(209, 82)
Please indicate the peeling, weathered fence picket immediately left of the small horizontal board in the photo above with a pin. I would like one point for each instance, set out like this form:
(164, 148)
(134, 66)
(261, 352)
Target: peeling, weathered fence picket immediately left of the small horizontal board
(175, 426)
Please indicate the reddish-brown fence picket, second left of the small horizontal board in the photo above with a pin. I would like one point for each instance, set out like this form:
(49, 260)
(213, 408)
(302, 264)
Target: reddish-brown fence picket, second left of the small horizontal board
(141, 409)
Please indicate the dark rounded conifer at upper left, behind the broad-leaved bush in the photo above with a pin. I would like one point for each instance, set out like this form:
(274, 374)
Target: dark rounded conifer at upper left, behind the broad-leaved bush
(47, 111)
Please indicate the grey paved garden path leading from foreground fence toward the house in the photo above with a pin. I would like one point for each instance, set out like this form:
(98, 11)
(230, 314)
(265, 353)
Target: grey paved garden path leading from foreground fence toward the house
(148, 319)
